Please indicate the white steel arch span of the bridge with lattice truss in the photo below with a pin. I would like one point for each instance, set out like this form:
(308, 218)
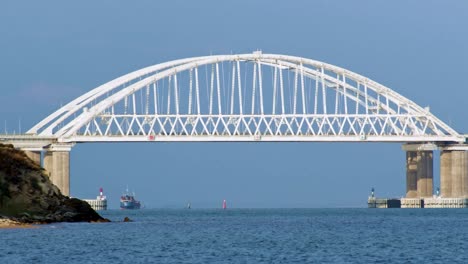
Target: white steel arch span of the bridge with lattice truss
(247, 97)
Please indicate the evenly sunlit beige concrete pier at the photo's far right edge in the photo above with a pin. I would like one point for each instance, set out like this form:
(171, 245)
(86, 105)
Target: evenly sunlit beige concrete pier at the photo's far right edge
(454, 172)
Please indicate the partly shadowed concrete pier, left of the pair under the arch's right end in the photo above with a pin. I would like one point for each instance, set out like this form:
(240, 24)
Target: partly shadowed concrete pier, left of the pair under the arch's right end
(419, 170)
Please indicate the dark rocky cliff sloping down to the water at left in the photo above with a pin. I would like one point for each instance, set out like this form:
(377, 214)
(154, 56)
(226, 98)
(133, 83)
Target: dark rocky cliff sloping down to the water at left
(27, 195)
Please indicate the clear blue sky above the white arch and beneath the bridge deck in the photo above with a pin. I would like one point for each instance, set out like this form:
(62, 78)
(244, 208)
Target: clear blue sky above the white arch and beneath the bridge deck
(52, 52)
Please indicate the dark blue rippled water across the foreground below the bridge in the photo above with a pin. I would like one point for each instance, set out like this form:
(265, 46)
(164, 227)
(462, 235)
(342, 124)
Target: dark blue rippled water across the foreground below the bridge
(248, 236)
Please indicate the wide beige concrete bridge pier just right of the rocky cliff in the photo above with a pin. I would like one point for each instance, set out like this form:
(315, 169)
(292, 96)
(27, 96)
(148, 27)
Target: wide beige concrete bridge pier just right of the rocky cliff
(57, 165)
